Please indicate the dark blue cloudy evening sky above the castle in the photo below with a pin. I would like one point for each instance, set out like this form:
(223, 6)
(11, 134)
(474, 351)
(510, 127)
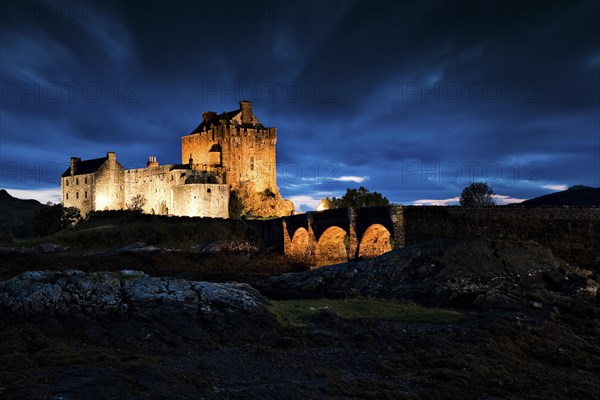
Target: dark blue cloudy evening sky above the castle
(413, 99)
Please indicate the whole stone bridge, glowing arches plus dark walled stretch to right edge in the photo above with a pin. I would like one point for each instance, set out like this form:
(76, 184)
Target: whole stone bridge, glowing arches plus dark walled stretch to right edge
(333, 236)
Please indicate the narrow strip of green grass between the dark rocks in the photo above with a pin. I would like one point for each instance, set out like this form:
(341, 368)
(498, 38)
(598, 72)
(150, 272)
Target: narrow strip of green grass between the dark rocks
(298, 312)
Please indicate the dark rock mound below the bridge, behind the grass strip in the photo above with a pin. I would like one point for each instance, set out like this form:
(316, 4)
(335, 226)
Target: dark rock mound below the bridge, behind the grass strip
(471, 273)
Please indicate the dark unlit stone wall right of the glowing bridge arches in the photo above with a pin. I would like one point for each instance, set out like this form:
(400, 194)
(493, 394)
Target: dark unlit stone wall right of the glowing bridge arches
(573, 234)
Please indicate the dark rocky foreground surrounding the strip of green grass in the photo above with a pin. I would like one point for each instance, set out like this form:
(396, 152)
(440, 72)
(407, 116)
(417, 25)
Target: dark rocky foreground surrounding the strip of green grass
(531, 329)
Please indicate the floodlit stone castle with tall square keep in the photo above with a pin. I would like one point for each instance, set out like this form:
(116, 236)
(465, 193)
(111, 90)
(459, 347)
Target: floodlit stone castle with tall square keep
(225, 152)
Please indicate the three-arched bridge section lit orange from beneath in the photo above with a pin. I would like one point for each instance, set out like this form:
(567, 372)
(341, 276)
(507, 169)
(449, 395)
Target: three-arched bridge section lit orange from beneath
(338, 235)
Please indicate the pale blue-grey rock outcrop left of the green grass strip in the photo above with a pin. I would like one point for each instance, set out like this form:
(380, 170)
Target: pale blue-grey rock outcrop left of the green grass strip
(128, 299)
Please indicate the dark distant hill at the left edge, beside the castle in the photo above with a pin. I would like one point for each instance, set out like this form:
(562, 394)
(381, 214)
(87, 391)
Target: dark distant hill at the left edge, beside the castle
(16, 214)
